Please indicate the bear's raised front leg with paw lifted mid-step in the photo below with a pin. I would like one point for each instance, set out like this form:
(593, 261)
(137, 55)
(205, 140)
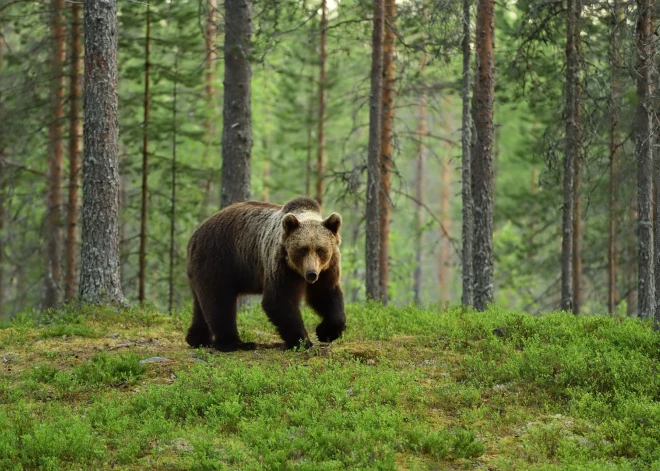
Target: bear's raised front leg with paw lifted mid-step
(327, 299)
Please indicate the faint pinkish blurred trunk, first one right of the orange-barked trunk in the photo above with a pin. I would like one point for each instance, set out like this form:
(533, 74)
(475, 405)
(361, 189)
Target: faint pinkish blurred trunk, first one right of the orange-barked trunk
(419, 192)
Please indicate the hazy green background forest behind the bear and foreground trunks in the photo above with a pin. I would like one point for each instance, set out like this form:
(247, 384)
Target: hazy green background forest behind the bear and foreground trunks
(311, 63)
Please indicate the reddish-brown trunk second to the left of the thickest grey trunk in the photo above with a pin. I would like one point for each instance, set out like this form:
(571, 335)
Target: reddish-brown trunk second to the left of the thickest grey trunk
(55, 161)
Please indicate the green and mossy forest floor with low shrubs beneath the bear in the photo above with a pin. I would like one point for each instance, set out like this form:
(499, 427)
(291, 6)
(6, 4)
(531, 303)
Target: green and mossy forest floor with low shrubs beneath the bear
(404, 389)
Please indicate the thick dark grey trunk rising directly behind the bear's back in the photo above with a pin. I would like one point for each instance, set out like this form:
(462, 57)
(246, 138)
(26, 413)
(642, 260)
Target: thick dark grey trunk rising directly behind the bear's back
(237, 124)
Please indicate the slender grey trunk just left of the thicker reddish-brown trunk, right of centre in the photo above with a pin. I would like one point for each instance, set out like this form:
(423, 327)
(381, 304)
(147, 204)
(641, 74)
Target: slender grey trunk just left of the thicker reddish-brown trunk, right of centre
(467, 297)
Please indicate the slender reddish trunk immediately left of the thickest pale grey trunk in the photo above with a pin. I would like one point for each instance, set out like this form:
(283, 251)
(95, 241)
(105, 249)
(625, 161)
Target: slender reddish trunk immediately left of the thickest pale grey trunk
(75, 136)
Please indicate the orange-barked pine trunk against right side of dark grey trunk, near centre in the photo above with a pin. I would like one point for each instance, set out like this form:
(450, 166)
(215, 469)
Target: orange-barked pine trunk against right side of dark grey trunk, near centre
(386, 158)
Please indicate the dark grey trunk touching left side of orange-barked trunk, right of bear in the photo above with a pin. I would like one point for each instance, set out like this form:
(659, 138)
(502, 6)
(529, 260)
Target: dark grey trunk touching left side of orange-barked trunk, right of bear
(372, 252)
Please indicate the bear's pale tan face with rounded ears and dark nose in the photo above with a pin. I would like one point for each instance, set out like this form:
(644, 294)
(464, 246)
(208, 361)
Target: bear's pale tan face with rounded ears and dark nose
(310, 243)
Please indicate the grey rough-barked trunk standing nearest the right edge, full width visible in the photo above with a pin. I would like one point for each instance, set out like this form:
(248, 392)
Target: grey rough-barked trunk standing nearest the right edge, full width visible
(644, 152)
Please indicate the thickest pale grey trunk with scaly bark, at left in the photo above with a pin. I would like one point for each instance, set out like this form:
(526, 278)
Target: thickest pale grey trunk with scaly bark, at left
(99, 260)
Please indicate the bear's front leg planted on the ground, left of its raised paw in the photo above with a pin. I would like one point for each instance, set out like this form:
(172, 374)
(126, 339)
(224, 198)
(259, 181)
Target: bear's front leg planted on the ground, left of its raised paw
(282, 306)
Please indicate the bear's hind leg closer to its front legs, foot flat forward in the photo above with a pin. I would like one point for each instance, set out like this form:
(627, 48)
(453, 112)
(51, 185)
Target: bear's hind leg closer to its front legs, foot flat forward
(222, 321)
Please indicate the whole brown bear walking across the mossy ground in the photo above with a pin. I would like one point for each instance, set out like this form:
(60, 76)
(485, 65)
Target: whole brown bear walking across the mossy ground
(283, 252)
